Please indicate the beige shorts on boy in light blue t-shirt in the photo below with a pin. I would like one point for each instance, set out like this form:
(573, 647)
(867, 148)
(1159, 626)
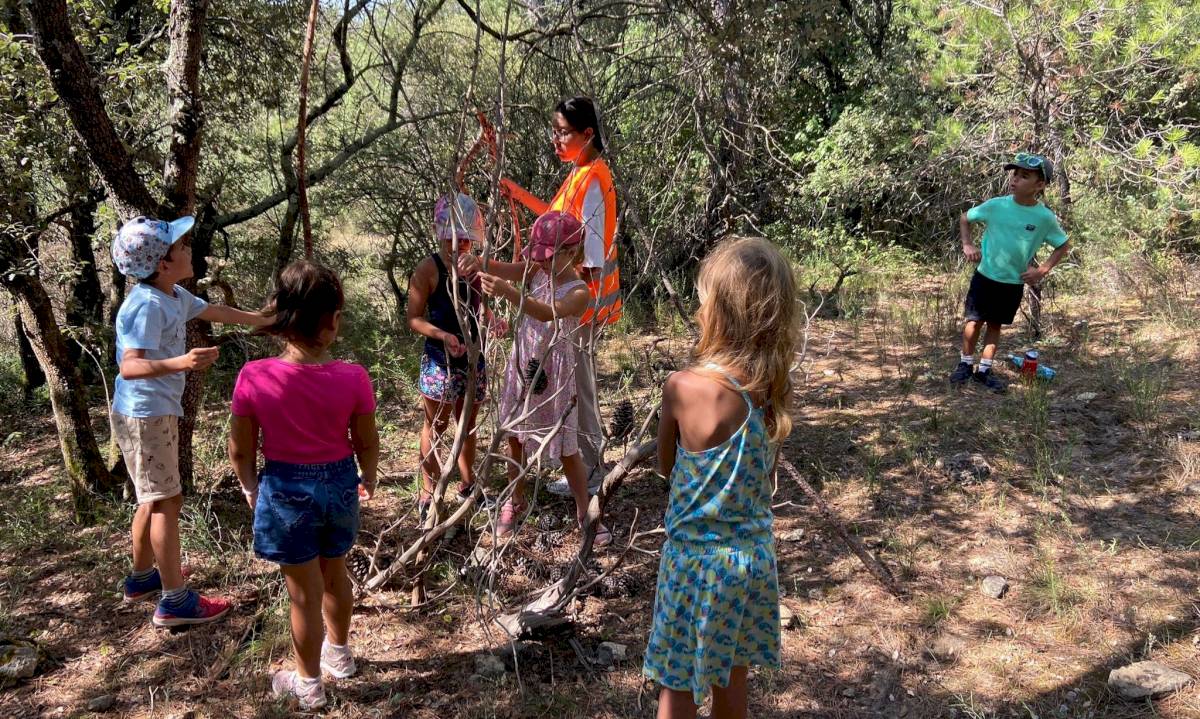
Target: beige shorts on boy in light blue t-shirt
(151, 446)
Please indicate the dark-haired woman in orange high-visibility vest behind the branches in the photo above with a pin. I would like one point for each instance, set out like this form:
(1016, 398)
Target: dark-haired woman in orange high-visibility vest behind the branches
(589, 194)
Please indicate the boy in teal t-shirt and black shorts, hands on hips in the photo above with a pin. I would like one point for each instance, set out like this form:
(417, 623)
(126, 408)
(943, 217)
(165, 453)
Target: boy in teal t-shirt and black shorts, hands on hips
(1016, 229)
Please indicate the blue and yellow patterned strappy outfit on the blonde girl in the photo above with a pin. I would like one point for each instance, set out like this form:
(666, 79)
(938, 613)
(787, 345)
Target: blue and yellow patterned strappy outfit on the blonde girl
(717, 603)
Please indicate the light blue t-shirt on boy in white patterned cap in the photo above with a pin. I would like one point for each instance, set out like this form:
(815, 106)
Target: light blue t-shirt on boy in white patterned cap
(154, 321)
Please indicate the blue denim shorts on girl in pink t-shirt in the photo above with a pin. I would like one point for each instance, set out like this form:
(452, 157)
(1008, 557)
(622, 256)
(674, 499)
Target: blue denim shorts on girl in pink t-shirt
(305, 512)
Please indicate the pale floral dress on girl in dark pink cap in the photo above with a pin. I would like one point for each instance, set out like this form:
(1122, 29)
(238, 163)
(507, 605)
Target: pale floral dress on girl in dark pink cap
(539, 382)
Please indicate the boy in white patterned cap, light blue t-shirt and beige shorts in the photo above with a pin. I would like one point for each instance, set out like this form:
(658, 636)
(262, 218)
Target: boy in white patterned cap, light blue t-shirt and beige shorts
(153, 356)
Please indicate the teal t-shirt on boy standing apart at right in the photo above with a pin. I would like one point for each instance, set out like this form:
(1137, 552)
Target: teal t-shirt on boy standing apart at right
(1013, 236)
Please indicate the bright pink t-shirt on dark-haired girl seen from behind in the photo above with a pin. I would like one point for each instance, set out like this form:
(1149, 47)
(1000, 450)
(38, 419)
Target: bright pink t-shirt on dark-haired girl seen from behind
(304, 410)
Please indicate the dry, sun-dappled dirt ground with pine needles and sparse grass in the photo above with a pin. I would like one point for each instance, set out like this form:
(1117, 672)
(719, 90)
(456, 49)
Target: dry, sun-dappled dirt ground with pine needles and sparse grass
(1076, 492)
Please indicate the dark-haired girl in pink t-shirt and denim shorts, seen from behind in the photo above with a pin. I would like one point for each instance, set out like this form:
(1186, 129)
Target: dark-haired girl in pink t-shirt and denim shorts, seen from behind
(316, 416)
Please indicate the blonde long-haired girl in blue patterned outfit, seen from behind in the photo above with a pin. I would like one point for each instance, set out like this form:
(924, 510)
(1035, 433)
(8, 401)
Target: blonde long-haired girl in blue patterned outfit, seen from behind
(717, 604)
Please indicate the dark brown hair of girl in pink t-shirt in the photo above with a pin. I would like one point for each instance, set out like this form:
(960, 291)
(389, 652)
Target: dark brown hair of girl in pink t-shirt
(305, 299)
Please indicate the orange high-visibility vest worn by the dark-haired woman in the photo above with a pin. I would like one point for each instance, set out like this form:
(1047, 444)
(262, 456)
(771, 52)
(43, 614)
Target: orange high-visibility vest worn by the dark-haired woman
(605, 308)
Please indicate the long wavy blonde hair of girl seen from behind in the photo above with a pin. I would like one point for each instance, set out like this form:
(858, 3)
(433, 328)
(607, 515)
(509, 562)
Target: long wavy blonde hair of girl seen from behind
(749, 322)
